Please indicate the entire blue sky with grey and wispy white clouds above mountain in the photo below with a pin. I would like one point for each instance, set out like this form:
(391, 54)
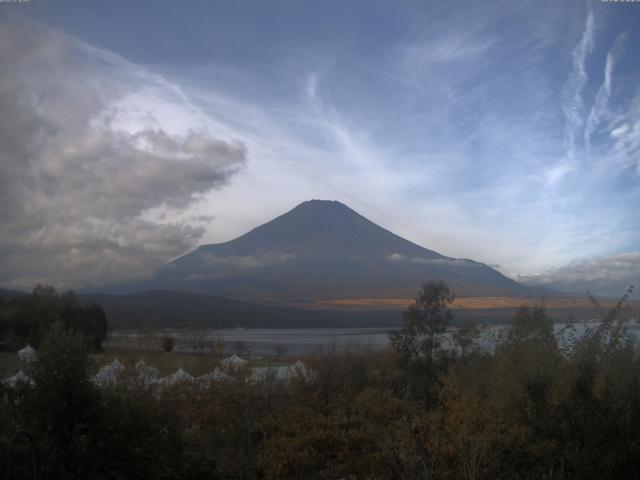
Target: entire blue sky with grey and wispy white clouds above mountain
(507, 132)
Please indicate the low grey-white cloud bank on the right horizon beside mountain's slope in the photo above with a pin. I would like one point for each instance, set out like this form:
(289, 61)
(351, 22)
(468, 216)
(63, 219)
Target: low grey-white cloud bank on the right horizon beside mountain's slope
(610, 275)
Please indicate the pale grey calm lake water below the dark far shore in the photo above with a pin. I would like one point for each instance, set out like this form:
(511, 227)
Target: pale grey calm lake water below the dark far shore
(278, 341)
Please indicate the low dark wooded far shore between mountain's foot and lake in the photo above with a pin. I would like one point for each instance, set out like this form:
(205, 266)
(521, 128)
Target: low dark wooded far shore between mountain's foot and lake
(177, 309)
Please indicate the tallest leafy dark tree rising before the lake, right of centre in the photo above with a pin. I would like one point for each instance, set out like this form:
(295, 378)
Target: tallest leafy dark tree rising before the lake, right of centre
(418, 342)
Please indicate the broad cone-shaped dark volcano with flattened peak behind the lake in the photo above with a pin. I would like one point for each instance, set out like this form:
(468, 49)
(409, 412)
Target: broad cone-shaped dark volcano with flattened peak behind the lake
(324, 250)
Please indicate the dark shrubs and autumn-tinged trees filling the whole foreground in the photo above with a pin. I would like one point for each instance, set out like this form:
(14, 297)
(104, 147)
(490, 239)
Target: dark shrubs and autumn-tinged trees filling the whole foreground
(533, 407)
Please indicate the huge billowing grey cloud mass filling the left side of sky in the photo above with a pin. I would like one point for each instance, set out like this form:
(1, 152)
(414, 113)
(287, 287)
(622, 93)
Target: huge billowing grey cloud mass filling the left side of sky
(82, 162)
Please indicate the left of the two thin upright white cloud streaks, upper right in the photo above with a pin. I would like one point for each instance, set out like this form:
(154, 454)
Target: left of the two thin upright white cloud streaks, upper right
(572, 95)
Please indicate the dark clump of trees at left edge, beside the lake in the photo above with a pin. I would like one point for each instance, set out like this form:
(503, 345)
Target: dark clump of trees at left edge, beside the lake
(28, 319)
